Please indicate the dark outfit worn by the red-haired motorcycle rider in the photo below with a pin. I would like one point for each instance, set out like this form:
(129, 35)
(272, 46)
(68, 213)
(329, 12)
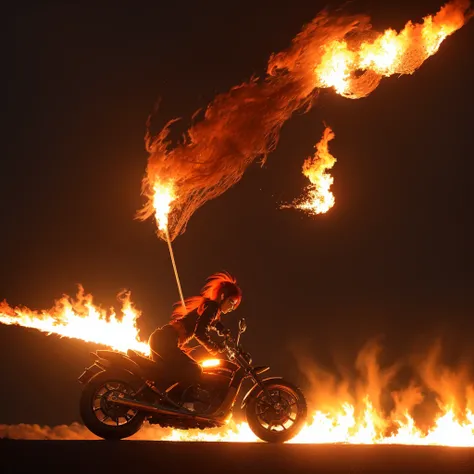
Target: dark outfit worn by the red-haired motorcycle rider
(167, 343)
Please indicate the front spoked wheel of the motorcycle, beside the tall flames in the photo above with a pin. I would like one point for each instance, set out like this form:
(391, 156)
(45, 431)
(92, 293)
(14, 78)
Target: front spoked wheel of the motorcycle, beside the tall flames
(279, 417)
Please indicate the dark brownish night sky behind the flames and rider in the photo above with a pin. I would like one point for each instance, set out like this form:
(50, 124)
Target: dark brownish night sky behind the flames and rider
(393, 259)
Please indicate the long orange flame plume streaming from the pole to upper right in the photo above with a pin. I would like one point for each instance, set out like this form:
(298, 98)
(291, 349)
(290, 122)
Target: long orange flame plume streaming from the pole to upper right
(335, 50)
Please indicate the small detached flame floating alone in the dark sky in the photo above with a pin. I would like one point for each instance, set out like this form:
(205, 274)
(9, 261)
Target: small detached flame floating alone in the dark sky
(318, 198)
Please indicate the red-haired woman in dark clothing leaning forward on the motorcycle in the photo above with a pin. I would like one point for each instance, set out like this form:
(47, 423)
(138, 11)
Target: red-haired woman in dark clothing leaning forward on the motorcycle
(220, 295)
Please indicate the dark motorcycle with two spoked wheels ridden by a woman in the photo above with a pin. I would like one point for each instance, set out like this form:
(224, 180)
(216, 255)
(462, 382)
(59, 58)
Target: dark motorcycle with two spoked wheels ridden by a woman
(121, 392)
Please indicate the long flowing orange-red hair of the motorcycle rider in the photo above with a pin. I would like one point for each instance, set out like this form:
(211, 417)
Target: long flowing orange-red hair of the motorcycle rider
(221, 283)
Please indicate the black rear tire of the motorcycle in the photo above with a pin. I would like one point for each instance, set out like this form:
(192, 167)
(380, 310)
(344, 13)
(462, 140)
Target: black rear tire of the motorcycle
(93, 406)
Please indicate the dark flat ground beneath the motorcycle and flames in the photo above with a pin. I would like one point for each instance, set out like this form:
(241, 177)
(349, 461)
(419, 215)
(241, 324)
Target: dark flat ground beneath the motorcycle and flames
(19, 456)
